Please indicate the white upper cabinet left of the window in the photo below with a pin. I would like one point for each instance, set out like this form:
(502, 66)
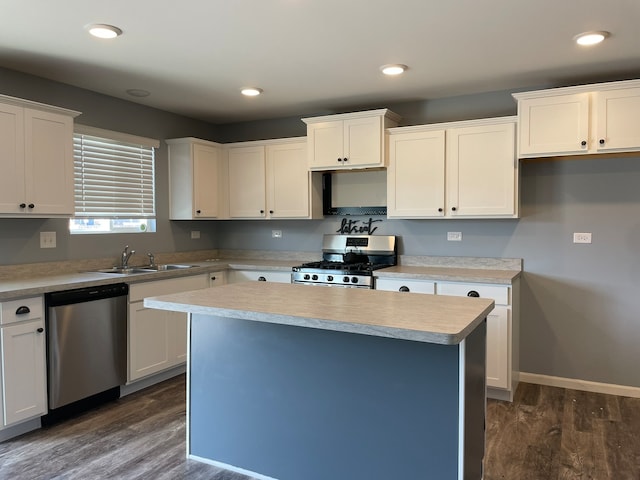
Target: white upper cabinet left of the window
(36, 147)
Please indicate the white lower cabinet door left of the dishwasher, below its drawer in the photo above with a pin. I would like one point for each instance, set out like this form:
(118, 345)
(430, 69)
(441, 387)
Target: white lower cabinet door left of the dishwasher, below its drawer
(23, 371)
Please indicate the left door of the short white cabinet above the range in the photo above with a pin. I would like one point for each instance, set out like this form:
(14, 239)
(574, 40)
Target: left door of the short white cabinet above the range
(325, 144)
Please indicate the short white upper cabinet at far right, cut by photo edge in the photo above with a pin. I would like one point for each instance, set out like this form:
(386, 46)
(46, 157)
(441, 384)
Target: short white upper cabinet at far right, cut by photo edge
(588, 119)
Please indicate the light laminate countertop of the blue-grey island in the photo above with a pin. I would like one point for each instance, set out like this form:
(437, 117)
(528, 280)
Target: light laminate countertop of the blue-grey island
(424, 318)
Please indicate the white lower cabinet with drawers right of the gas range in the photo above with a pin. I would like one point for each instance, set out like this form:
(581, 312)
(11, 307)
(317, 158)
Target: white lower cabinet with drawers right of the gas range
(502, 325)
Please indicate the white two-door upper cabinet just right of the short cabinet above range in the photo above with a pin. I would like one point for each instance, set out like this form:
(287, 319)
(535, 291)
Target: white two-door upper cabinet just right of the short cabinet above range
(453, 170)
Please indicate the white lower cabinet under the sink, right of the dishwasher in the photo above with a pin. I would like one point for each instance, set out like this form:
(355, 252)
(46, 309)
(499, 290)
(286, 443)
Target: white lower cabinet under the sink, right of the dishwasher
(158, 338)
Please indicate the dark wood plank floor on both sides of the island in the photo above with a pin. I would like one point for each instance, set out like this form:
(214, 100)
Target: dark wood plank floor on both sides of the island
(545, 434)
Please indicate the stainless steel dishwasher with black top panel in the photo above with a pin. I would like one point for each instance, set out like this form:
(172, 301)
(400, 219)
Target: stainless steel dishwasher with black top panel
(86, 347)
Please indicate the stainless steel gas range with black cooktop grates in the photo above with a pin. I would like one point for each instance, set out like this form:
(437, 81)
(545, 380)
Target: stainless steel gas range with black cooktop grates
(348, 261)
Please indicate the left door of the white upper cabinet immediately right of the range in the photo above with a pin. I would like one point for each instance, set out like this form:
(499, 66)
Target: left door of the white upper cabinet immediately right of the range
(415, 176)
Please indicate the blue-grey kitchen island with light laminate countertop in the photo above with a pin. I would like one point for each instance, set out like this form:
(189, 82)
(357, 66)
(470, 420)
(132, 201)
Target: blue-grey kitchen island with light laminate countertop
(299, 382)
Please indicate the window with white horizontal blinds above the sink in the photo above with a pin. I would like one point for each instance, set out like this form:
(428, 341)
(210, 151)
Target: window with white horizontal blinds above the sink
(114, 182)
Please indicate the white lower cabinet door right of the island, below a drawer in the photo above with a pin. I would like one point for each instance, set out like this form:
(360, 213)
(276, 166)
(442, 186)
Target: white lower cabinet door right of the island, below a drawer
(498, 356)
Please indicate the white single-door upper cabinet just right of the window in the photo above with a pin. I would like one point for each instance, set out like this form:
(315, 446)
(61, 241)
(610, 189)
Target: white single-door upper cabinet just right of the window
(196, 187)
